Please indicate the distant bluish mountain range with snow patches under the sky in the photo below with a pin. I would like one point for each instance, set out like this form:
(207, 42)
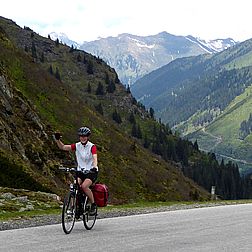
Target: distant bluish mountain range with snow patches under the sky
(134, 56)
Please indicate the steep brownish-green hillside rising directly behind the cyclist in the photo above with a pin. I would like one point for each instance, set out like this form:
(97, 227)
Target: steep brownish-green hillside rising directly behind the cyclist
(47, 86)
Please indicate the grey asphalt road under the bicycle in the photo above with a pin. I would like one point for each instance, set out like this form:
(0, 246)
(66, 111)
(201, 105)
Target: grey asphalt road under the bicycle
(222, 228)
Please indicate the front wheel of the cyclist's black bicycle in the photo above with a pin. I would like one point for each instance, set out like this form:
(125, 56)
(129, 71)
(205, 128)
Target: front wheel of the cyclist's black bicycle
(68, 212)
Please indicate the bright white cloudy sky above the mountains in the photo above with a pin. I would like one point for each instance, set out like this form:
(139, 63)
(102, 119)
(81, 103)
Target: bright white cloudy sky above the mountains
(87, 20)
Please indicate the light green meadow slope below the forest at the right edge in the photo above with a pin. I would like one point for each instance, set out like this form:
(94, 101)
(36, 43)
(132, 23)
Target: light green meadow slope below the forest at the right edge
(226, 126)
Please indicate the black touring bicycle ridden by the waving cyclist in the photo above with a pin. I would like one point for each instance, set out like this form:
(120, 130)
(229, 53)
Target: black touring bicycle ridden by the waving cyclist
(76, 202)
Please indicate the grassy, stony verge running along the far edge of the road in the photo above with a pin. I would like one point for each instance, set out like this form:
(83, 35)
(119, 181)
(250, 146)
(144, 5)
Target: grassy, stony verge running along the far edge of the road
(18, 204)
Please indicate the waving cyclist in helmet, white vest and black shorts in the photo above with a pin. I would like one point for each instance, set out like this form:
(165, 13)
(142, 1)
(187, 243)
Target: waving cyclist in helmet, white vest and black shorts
(86, 155)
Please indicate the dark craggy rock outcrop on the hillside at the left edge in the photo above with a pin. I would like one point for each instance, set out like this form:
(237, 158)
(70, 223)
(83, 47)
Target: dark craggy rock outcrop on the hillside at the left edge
(20, 126)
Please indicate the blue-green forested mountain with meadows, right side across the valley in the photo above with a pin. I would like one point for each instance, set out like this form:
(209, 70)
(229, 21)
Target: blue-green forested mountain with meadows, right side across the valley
(208, 99)
